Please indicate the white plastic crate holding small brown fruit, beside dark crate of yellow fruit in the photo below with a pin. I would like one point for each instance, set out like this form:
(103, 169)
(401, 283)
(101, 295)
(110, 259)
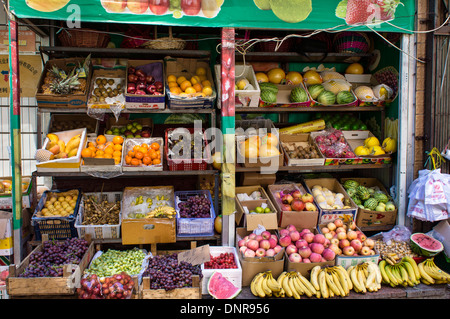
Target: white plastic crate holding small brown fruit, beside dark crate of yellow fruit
(99, 231)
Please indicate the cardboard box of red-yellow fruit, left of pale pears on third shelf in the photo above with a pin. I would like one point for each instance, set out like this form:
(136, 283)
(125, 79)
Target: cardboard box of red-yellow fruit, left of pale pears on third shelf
(303, 219)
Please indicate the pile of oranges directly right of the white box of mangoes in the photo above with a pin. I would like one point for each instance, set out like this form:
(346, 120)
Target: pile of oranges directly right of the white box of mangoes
(102, 148)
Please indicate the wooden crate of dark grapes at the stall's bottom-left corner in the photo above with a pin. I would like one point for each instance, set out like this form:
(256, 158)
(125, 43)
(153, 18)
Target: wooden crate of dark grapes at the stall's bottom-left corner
(47, 286)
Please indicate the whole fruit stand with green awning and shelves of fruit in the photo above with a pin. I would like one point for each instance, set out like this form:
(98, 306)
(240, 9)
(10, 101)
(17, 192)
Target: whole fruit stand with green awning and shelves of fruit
(301, 177)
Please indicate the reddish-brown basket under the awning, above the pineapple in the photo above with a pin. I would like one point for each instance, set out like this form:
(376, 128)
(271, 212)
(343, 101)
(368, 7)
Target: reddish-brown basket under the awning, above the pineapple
(85, 38)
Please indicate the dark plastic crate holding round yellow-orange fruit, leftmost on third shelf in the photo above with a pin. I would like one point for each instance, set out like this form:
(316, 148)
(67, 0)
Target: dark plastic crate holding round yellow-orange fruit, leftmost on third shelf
(58, 228)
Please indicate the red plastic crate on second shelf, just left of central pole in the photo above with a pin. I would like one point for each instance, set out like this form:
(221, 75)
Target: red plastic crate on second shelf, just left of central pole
(185, 164)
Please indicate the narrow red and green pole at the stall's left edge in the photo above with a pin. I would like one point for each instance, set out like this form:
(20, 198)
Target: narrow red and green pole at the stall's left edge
(16, 158)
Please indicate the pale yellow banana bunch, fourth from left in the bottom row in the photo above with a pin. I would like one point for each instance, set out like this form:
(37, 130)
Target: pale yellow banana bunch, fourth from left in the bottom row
(365, 277)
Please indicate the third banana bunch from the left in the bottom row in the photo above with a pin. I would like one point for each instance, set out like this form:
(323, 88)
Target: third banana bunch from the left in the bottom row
(330, 281)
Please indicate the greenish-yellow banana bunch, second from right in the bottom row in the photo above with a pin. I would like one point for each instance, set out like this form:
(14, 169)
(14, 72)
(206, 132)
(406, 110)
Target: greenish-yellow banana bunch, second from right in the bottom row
(404, 272)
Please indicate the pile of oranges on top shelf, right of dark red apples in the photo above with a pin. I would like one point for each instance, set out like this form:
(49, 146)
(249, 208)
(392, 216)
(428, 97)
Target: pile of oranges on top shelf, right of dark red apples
(196, 85)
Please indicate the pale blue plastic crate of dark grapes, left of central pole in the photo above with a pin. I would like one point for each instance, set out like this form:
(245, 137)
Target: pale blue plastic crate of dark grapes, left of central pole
(194, 226)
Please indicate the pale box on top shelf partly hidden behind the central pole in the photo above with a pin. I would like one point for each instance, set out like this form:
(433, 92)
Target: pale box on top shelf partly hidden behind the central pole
(243, 98)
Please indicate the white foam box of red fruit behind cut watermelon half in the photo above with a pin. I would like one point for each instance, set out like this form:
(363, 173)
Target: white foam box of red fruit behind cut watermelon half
(234, 274)
